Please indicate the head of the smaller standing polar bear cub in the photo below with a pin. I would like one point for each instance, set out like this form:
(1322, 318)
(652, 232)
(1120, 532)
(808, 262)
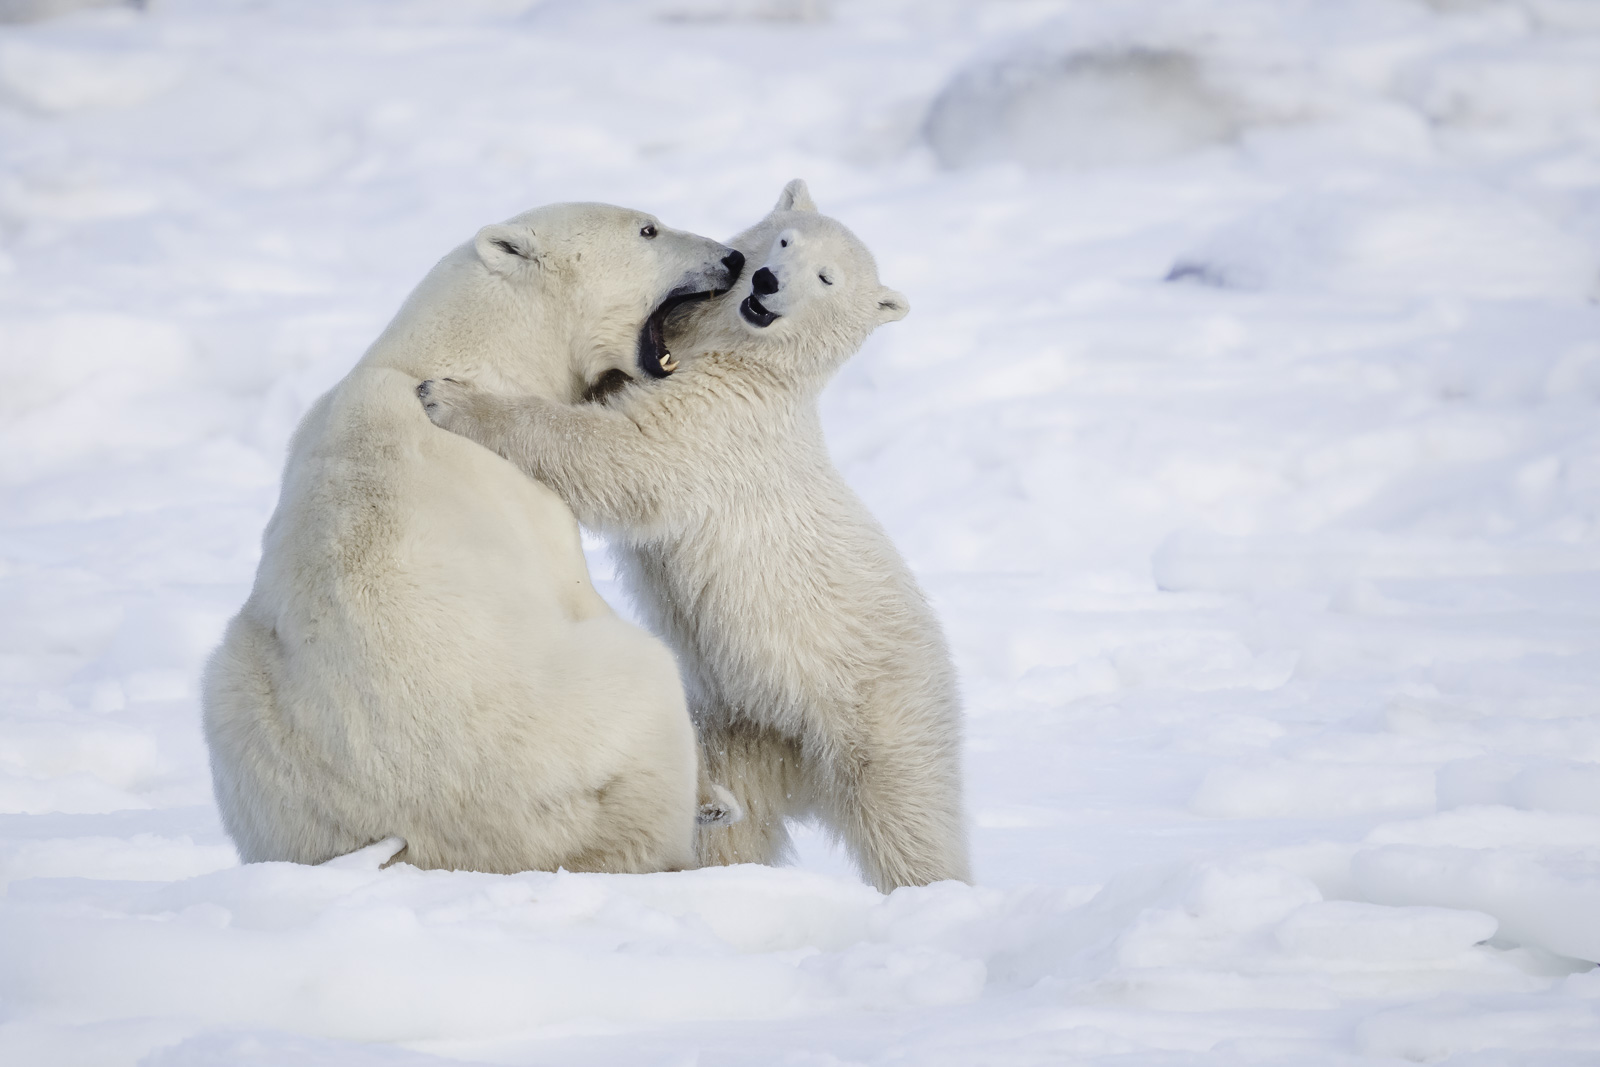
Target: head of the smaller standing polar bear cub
(814, 287)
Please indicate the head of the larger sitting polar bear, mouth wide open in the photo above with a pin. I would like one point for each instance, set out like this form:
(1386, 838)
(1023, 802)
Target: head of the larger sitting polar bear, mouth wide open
(617, 273)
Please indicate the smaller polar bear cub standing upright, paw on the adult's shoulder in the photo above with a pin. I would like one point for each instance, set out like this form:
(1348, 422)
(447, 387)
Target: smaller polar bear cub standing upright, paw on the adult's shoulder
(818, 676)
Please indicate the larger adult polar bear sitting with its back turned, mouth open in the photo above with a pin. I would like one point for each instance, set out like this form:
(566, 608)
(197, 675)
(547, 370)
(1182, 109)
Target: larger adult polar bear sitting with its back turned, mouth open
(423, 653)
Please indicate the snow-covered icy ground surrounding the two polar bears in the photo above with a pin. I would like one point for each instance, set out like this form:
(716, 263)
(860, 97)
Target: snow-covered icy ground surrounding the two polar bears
(1246, 433)
